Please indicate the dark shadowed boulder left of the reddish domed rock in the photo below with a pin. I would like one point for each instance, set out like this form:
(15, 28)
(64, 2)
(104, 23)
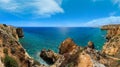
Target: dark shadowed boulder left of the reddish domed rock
(52, 58)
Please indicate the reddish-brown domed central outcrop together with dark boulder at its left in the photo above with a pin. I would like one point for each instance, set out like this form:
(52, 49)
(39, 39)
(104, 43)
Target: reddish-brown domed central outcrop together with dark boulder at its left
(67, 54)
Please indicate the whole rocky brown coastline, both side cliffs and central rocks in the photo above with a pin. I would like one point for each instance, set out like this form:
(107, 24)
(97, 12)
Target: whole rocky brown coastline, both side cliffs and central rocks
(12, 54)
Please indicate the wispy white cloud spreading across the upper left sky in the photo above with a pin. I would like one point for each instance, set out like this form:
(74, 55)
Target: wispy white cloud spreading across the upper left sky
(33, 7)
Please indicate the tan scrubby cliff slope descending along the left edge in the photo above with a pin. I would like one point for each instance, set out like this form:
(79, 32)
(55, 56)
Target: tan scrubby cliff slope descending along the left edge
(10, 45)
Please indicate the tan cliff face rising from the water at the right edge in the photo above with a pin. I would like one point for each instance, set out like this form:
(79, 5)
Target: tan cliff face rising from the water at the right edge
(112, 46)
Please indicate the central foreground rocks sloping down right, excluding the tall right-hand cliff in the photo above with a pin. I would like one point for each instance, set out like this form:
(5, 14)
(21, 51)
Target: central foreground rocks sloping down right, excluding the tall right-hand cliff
(78, 56)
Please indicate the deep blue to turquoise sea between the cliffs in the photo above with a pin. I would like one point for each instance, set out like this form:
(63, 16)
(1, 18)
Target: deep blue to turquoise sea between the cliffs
(37, 38)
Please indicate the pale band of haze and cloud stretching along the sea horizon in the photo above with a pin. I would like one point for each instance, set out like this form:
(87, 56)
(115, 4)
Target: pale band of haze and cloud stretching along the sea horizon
(92, 23)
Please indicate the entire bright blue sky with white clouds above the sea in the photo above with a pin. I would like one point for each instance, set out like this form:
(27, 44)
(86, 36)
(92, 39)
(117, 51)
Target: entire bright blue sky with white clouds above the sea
(62, 13)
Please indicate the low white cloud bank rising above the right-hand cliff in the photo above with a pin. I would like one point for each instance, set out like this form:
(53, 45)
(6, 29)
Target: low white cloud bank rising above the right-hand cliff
(103, 21)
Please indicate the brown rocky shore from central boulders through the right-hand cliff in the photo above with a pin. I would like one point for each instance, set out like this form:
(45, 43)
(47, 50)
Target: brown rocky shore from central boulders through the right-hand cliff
(72, 55)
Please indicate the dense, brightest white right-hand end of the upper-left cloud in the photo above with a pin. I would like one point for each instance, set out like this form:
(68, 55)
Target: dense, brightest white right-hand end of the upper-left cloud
(52, 7)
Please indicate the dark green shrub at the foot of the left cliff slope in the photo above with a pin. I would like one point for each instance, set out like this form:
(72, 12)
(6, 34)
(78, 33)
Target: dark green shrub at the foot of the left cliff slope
(10, 62)
